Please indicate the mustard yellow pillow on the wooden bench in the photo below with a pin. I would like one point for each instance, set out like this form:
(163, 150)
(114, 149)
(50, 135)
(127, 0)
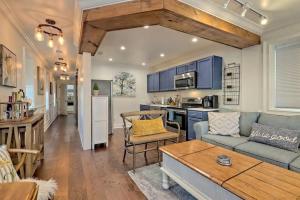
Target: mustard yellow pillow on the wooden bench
(148, 127)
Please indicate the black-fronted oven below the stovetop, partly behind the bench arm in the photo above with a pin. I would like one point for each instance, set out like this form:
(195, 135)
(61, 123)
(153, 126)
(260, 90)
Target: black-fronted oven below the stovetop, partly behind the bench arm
(177, 115)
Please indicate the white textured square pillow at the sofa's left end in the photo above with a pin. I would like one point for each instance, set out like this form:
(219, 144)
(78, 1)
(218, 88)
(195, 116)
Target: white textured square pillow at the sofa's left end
(226, 123)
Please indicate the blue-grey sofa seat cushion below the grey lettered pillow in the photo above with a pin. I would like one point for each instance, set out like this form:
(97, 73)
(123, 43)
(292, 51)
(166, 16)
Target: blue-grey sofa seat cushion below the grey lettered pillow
(267, 153)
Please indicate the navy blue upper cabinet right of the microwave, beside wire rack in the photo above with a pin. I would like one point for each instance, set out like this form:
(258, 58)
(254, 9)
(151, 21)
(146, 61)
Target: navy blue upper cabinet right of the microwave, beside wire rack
(209, 73)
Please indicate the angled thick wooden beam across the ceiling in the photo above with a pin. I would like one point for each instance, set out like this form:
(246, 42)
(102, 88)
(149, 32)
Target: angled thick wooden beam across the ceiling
(168, 13)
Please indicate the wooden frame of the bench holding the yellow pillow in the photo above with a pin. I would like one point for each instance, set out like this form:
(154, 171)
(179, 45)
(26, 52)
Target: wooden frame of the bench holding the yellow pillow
(151, 114)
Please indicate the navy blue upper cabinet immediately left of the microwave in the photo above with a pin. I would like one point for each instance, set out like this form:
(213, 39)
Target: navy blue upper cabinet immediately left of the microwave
(166, 79)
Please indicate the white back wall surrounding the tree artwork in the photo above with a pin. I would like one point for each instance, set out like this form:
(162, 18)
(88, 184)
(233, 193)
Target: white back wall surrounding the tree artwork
(123, 104)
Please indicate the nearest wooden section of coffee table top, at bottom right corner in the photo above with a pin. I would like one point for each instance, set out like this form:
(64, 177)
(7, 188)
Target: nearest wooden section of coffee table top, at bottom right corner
(265, 181)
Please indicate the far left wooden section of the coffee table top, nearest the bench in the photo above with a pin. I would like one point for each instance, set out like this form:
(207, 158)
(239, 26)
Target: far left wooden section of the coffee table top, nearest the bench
(181, 149)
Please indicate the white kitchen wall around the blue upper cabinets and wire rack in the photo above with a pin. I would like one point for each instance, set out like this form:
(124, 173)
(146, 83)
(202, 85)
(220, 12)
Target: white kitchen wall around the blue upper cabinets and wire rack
(251, 74)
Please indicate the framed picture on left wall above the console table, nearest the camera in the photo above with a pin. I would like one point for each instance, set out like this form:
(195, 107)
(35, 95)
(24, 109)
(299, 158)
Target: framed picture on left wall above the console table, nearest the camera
(8, 67)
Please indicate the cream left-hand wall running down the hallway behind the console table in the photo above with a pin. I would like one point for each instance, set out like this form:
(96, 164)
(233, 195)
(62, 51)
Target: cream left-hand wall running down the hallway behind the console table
(27, 59)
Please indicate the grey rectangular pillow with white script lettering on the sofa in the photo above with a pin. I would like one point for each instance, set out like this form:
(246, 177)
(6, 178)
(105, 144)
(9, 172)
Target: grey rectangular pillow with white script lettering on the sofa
(277, 137)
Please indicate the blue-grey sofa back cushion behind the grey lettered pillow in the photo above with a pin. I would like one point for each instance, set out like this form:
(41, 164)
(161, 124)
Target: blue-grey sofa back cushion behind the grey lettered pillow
(280, 121)
